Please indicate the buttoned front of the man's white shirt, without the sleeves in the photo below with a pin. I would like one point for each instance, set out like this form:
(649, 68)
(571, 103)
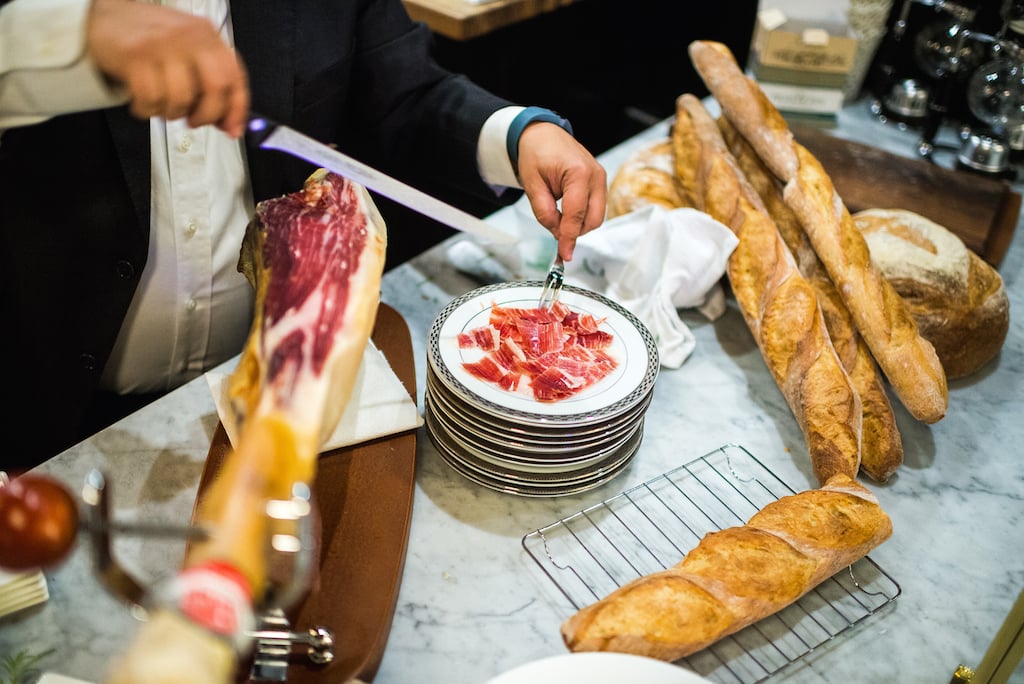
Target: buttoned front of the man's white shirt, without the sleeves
(193, 309)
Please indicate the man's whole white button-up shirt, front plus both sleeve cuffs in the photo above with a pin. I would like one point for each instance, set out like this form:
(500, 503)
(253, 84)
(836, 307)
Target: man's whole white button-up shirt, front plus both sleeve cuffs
(193, 310)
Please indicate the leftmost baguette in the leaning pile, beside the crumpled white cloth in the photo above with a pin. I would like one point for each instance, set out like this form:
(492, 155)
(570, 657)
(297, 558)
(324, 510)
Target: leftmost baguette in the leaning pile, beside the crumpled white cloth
(779, 305)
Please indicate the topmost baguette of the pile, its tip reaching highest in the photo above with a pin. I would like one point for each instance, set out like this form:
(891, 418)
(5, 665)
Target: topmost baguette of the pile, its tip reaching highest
(909, 361)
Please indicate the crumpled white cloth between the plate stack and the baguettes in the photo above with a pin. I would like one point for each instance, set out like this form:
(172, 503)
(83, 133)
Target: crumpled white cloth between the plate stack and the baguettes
(655, 262)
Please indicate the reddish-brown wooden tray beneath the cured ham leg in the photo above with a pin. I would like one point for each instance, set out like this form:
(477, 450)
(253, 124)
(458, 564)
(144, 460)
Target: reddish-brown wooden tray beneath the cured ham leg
(364, 496)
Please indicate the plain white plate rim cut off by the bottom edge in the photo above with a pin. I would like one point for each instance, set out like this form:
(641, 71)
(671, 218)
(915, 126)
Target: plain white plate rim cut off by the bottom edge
(599, 669)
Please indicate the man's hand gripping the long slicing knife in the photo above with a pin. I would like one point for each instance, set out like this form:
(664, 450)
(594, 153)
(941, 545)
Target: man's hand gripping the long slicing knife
(174, 65)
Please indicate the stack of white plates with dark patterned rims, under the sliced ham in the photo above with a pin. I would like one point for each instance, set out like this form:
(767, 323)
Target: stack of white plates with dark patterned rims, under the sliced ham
(508, 441)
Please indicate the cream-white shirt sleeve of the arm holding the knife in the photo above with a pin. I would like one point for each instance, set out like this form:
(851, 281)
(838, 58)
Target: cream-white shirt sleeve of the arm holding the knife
(45, 71)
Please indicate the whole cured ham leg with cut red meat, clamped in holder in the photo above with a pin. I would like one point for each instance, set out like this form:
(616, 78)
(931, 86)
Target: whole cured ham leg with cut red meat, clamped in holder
(316, 260)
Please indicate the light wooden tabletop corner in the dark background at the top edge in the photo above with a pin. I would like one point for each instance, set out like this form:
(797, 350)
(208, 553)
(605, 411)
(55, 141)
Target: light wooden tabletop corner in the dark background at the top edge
(461, 20)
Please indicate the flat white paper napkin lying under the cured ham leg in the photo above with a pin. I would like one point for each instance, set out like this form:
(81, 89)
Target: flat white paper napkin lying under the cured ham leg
(379, 406)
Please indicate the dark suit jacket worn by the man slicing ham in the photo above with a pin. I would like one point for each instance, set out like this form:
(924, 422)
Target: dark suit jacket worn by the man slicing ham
(75, 191)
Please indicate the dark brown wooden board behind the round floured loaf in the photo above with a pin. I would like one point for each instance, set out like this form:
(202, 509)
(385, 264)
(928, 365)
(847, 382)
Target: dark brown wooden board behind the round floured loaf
(982, 210)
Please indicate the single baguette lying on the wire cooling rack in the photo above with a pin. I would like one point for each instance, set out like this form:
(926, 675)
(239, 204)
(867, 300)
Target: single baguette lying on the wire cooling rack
(736, 577)
